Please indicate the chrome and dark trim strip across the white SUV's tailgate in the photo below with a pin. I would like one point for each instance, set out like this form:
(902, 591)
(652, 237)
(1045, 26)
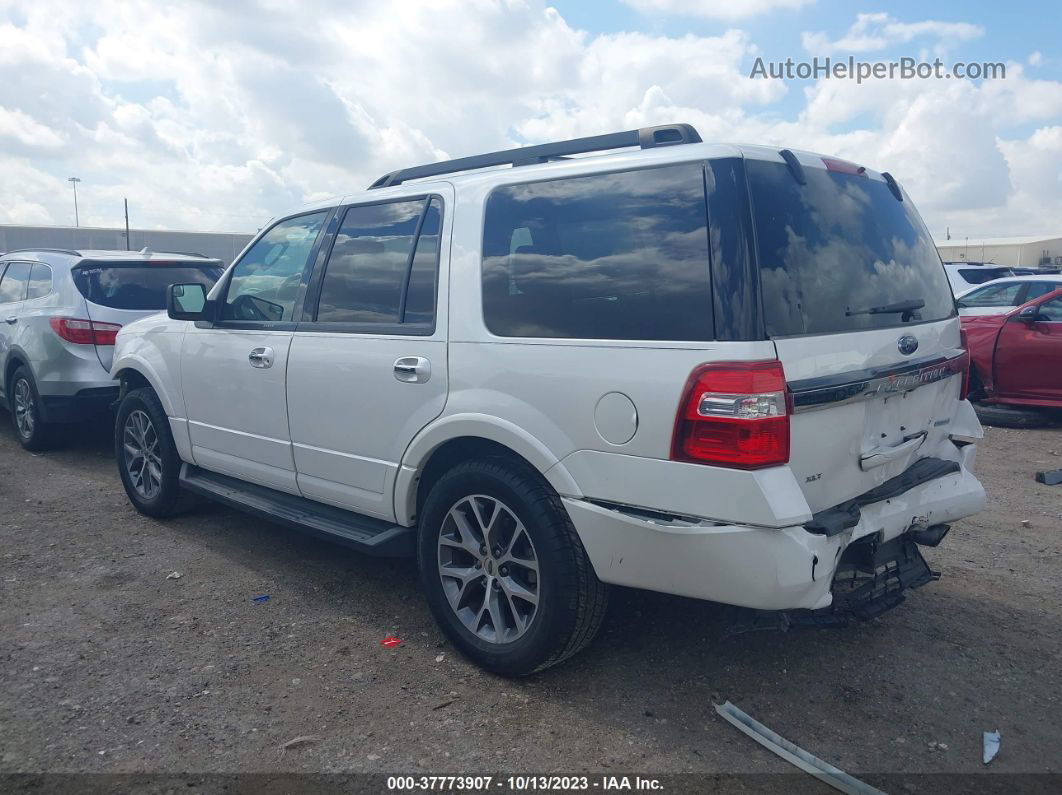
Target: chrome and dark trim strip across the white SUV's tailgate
(849, 388)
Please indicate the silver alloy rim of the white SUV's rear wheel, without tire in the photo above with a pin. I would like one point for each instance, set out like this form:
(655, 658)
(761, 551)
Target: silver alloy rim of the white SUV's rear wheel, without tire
(489, 569)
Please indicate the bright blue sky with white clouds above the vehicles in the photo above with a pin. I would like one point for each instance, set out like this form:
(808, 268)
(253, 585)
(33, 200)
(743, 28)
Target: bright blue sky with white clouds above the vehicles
(217, 116)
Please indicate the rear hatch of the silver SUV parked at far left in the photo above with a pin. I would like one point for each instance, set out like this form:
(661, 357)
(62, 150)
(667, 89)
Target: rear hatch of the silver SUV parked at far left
(119, 292)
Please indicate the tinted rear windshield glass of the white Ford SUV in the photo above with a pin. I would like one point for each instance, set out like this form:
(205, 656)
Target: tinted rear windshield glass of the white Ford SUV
(838, 247)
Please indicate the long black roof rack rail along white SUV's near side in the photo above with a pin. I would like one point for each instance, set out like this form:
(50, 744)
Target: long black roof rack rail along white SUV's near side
(665, 135)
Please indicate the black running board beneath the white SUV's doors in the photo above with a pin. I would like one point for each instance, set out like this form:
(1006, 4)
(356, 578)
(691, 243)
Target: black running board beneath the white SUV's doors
(364, 533)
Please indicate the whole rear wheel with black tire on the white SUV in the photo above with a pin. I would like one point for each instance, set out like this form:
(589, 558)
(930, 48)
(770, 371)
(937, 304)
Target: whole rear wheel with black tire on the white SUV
(505, 573)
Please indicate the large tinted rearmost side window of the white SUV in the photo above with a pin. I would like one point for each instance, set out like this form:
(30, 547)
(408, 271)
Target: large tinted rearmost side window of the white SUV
(608, 257)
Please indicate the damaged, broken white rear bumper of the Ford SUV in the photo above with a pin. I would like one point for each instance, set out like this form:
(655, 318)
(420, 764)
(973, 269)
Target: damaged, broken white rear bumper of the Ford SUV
(779, 568)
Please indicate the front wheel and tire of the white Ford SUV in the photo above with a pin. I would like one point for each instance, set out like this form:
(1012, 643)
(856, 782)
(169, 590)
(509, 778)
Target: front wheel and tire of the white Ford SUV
(148, 461)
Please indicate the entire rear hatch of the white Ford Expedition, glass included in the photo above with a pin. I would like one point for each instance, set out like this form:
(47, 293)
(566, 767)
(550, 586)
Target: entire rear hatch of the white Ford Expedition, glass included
(858, 303)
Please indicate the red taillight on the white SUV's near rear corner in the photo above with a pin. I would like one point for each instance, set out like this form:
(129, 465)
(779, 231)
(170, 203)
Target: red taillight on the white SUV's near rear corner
(734, 414)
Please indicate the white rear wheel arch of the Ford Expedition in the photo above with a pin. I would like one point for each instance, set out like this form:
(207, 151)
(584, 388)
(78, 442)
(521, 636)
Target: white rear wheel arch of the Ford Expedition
(453, 440)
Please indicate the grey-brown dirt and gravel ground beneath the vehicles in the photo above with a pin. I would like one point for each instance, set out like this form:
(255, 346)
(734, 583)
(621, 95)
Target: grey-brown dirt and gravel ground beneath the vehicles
(110, 666)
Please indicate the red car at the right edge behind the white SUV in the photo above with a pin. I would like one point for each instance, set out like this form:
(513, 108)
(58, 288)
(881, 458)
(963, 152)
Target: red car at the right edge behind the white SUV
(1017, 358)
